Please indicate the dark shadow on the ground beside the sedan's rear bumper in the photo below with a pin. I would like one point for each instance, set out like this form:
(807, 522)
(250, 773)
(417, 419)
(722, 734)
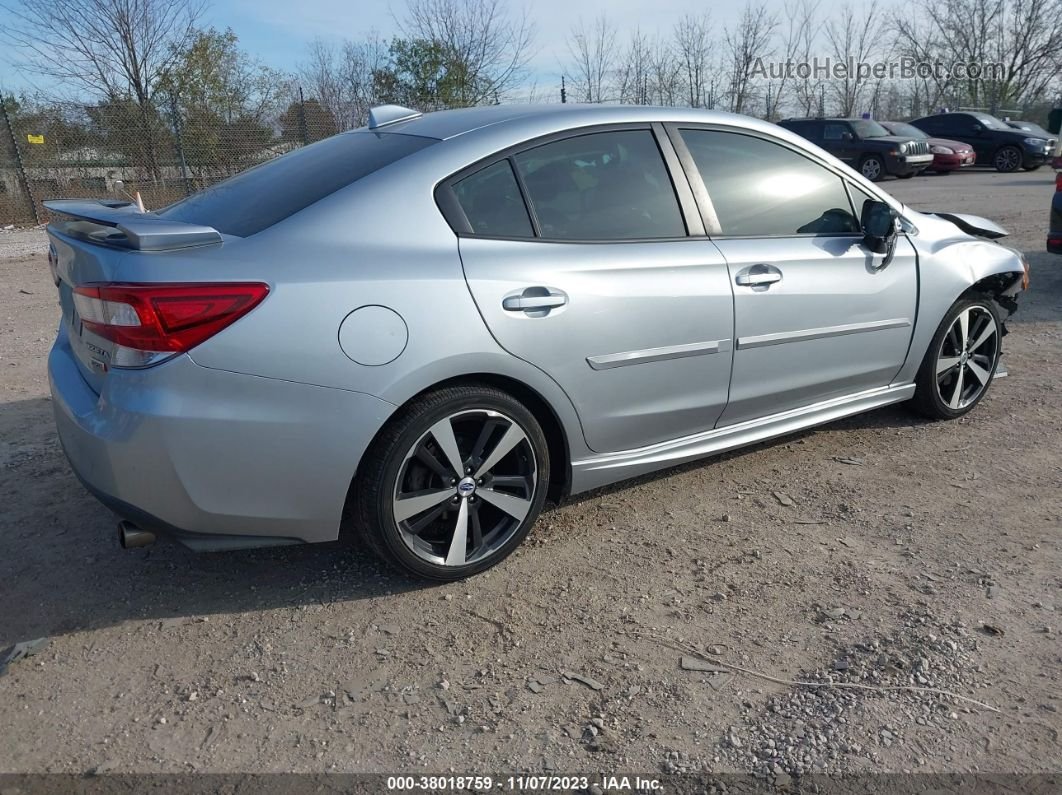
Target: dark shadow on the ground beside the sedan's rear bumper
(63, 572)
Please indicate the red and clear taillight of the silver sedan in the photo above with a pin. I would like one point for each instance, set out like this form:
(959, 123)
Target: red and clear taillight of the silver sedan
(149, 323)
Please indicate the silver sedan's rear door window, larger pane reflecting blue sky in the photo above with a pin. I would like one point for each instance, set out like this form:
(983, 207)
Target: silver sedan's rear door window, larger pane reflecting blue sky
(602, 186)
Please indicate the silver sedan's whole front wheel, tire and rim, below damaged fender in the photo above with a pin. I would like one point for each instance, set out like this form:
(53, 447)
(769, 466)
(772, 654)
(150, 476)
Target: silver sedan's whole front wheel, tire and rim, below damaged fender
(961, 364)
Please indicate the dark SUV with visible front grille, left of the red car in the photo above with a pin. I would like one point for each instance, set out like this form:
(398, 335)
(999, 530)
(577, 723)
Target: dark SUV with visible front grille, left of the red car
(865, 146)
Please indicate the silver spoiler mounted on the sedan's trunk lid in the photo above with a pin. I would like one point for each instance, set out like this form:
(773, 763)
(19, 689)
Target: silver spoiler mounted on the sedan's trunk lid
(145, 232)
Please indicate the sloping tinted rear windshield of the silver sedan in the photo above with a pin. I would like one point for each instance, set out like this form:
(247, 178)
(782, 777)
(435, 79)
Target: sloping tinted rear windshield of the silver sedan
(268, 194)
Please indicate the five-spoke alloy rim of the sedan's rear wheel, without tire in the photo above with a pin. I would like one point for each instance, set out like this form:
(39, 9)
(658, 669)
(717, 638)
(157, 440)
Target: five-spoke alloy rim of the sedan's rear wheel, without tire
(466, 488)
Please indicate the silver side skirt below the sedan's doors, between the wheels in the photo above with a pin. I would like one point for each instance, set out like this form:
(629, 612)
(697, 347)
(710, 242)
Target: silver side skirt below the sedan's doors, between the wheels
(602, 471)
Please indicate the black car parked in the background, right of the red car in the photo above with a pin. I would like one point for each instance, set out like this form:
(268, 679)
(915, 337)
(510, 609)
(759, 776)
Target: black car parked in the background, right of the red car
(994, 141)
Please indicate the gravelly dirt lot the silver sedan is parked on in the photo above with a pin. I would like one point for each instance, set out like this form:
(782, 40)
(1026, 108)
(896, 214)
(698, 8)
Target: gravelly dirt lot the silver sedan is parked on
(872, 551)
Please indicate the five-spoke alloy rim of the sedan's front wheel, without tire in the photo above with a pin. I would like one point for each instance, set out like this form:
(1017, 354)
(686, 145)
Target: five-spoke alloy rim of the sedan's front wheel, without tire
(967, 357)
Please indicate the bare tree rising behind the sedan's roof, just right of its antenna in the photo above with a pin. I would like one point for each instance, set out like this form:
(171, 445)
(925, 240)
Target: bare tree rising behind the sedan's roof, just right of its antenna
(489, 47)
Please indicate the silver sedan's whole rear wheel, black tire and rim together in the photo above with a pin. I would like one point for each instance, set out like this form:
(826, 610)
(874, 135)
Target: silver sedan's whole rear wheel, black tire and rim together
(453, 486)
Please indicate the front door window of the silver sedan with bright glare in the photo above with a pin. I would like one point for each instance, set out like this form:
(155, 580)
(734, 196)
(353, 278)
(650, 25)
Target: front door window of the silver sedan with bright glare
(762, 189)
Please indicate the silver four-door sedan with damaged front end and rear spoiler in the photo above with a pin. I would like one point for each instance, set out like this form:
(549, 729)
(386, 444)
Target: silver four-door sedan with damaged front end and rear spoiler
(429, 326)
